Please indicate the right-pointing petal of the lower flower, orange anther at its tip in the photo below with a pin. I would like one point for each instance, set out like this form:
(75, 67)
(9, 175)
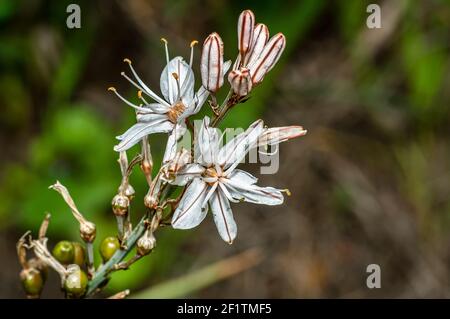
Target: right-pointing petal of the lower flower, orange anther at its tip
(253, 193)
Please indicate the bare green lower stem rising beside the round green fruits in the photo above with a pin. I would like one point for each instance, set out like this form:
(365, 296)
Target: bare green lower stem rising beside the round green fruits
(102, 272)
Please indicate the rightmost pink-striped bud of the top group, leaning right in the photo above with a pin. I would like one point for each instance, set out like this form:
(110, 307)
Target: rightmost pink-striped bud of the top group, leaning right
(268, 57)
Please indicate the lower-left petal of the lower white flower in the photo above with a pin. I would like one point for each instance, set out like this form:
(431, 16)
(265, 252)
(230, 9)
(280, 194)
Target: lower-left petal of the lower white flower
(189, 212)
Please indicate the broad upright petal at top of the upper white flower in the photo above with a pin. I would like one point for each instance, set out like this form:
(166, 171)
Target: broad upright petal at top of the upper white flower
(172, 90)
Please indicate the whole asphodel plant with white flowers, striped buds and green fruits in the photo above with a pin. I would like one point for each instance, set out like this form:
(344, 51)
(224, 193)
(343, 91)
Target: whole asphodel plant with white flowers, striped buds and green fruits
(207, 174)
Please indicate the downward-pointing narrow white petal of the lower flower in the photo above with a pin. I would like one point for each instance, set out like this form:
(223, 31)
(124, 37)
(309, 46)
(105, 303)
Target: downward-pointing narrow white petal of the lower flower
(223, 216)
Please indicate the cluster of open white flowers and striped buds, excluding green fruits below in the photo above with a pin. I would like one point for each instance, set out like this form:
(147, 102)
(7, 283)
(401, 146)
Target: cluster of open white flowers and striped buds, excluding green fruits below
(210, 177)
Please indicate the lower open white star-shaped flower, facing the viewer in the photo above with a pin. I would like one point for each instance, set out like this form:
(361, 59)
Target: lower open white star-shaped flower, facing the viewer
(214, 179)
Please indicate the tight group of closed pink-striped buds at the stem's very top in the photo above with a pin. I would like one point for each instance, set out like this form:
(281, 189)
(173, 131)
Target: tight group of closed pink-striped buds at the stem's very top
(257, 53)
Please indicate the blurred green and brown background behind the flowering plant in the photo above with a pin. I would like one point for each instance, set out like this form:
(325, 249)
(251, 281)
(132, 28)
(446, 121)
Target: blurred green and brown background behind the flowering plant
(370, 181)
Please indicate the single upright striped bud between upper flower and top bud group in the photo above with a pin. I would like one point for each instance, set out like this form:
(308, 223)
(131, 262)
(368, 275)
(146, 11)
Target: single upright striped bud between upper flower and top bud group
(211, 64)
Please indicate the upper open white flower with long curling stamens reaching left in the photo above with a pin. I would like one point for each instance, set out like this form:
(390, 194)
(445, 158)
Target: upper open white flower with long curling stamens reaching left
(169, 112)
